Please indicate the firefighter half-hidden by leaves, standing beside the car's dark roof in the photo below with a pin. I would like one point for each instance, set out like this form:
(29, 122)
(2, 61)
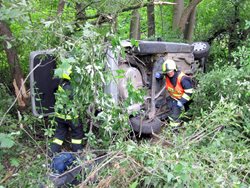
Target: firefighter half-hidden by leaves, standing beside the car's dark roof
(66, 117)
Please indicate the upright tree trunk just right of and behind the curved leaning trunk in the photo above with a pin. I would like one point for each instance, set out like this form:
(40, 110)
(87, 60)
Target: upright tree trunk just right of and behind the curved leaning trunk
(189, 28)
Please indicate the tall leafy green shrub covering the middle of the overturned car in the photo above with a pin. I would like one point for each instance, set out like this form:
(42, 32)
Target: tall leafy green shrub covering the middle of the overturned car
(86, 53)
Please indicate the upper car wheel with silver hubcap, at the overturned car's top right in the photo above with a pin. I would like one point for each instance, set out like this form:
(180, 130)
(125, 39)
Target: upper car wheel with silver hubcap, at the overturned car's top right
(201, 49)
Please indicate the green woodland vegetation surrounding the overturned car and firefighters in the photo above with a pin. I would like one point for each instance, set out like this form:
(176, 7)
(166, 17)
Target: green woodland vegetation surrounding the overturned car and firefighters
(213, 151)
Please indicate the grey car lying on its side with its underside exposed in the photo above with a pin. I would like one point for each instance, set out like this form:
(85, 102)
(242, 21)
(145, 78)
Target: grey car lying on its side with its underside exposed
(139, 65)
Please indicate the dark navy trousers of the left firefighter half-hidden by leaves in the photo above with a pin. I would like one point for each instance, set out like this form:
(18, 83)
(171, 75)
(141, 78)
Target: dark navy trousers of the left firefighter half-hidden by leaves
(61, 132)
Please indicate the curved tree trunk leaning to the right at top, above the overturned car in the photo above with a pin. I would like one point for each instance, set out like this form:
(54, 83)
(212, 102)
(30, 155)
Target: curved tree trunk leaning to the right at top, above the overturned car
(186, 13)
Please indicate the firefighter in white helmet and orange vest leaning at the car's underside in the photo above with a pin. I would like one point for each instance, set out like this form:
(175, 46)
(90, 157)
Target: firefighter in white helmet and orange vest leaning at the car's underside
(179, 87)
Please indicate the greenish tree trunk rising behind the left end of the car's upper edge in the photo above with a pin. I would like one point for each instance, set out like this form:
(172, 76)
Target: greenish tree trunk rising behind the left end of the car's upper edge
(135, 25)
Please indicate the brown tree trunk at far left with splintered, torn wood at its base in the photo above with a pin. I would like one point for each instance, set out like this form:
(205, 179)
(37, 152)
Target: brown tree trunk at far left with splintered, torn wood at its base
(13, 61)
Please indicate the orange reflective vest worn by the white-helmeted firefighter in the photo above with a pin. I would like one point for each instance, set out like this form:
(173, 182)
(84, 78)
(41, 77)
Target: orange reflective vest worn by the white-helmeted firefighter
(177, 91)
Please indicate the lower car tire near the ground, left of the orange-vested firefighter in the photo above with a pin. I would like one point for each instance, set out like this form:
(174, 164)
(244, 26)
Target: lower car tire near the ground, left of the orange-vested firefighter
(147, 127)
